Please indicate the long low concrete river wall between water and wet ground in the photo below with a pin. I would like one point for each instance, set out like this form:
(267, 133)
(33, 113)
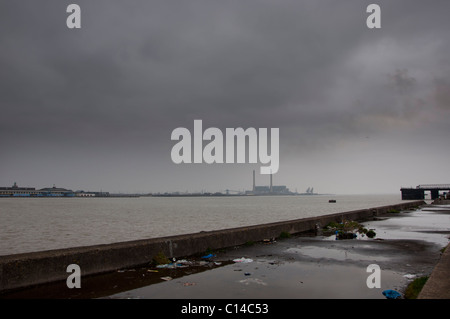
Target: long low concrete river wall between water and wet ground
(23, 270)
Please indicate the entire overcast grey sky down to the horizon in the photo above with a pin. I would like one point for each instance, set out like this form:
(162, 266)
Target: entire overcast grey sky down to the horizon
(359, 110)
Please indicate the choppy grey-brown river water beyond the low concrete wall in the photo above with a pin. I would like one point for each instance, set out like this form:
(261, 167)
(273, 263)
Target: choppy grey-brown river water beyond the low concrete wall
(37, 224)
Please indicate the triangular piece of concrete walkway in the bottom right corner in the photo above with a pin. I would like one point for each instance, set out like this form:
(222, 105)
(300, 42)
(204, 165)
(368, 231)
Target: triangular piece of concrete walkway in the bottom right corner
(438, 285)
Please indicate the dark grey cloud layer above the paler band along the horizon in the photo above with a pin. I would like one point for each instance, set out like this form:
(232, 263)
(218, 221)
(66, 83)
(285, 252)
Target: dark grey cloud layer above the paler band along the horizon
(138, 69)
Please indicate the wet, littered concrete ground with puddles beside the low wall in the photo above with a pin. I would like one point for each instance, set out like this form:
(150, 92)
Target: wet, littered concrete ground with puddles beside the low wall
(407, 245)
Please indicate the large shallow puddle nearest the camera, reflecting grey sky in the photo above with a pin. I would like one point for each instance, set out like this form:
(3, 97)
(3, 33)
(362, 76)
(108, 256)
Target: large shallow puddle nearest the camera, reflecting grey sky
(291, 280)
